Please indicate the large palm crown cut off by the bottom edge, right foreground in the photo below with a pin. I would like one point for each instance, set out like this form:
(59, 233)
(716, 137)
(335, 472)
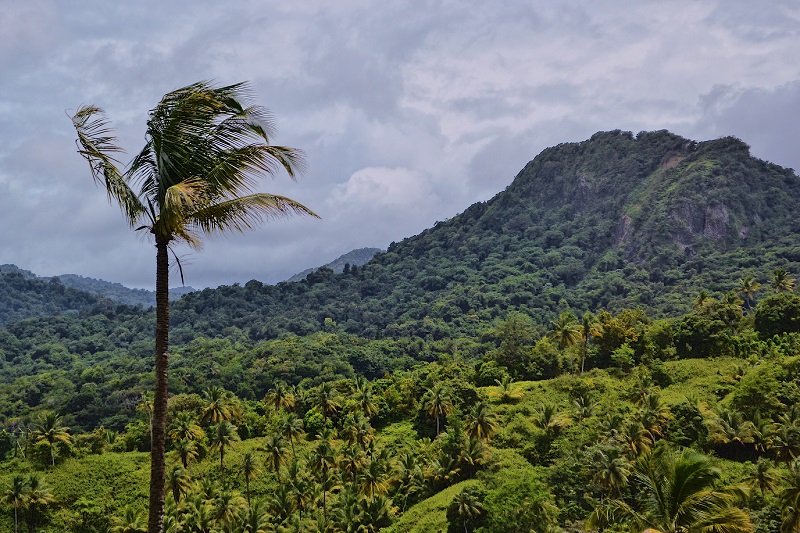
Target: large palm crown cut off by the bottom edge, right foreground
(677, 493)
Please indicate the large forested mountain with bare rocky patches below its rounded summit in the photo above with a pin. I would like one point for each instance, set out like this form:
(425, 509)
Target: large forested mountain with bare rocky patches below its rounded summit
(617, 221)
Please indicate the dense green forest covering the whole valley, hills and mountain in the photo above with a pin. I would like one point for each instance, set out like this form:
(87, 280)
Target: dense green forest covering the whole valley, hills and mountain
(622, 315)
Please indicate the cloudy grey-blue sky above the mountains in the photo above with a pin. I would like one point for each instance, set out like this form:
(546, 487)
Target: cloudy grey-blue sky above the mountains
(408, 111)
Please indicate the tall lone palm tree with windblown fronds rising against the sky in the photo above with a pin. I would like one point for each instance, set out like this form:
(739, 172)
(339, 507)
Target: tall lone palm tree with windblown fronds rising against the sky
(205, 147)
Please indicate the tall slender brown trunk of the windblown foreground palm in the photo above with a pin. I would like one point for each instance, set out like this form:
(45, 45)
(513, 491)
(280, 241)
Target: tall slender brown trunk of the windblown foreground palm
(155, 522)
